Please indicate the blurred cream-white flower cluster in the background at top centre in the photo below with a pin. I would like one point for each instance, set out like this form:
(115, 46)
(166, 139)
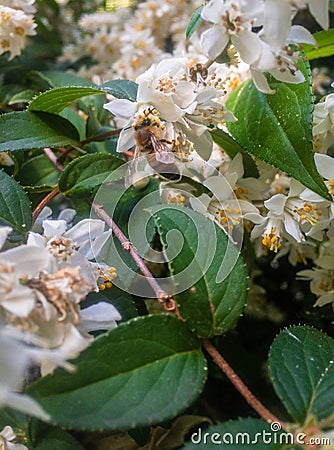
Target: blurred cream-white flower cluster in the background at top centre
(125, 43)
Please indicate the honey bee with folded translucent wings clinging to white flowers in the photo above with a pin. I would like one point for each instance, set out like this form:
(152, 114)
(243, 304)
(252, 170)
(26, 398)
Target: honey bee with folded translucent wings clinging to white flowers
(157, 151)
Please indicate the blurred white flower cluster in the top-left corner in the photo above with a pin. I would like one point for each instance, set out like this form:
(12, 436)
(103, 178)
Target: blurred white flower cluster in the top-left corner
(16, 23)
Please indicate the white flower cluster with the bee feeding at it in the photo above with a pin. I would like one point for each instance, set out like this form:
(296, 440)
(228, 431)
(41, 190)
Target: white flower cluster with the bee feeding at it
(188, 111)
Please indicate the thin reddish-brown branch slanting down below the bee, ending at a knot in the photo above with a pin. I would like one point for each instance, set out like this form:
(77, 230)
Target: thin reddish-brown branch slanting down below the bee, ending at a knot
(162, 295)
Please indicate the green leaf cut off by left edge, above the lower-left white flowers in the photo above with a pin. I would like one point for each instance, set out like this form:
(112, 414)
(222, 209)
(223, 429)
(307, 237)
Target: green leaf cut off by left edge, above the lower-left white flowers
(14, 205)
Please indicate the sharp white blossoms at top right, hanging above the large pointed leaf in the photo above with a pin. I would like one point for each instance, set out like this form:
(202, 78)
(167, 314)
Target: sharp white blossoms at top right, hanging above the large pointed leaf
(266, 50)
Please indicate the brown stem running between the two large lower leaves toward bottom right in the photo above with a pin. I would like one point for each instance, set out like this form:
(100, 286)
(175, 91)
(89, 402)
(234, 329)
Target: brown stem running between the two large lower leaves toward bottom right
(239, 384)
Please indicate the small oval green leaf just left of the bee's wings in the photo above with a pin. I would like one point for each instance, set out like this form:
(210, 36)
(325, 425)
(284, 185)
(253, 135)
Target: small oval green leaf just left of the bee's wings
(87, 172)
